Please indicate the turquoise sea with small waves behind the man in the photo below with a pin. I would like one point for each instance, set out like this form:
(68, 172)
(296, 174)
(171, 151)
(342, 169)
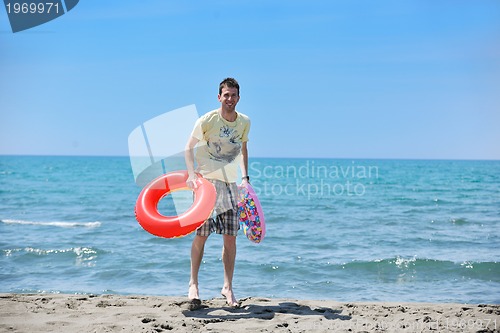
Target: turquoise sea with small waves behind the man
(348, 230)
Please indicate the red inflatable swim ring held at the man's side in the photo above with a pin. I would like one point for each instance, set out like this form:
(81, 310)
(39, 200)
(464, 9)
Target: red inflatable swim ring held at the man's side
(146, 207)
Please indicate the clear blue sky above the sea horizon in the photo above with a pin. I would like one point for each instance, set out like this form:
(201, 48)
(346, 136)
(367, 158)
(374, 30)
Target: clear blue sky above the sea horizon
(340, 79)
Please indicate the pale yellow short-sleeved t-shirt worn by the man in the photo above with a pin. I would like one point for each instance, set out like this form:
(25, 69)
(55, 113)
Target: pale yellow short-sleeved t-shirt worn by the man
(218, 152)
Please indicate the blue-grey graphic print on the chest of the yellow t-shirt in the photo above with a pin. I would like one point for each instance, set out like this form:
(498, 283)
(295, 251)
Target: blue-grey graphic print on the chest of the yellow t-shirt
(225, 147)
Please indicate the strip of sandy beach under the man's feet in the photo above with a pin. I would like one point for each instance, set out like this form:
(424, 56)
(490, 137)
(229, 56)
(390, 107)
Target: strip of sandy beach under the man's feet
(116, 313)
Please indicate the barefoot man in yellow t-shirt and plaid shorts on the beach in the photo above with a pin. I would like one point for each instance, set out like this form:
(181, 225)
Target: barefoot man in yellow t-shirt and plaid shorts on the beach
(223, 136)
